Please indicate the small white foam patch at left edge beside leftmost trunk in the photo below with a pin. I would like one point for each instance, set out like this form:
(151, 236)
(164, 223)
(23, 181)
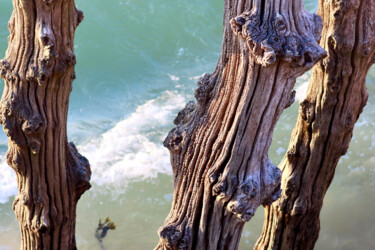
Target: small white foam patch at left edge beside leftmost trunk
(8, 182)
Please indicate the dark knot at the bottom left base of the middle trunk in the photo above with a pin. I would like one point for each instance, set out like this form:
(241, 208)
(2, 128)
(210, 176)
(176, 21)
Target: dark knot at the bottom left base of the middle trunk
(174, 237)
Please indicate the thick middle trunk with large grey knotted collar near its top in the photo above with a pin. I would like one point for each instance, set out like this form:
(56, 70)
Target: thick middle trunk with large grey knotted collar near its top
(221, 168)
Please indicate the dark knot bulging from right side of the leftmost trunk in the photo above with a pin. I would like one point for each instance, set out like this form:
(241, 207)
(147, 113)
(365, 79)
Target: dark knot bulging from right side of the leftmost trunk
(80, 170)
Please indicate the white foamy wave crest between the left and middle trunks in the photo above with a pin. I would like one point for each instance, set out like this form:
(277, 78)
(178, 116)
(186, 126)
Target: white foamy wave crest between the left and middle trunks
(133, 148)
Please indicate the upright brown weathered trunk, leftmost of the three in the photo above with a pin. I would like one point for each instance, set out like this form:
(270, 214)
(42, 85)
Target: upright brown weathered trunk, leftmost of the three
(38, 70)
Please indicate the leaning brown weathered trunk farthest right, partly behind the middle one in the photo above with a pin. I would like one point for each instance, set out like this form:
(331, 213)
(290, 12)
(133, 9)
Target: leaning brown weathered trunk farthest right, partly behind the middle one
(334, 101)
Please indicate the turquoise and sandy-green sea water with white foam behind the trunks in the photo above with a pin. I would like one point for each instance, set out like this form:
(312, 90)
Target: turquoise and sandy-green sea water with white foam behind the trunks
(138, 61)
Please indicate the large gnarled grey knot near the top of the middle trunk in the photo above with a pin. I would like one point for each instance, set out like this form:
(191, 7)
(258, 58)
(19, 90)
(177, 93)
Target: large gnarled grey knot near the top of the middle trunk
(269, 41)
